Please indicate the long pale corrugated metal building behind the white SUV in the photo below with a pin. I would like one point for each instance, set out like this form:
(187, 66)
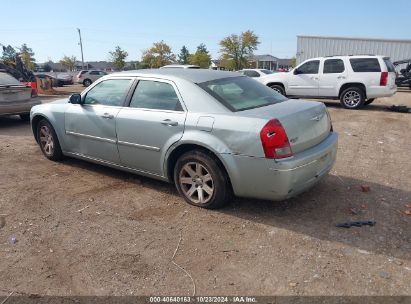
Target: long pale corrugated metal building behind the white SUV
(319, 46)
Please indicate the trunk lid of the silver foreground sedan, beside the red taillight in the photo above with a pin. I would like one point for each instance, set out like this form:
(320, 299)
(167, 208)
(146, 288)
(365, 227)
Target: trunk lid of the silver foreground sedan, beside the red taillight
(305, 122)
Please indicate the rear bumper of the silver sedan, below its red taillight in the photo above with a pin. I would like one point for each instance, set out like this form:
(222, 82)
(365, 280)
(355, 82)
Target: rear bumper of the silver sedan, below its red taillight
(281, 179)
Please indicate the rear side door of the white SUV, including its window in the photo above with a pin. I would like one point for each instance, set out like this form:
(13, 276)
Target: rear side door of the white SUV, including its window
(332, 76)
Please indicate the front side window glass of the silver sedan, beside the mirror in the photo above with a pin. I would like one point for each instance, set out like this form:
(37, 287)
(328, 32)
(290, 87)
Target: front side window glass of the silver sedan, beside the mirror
(110, 92)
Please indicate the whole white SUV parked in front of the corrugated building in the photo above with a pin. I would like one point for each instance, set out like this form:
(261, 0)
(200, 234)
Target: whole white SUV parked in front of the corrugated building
(355, 80)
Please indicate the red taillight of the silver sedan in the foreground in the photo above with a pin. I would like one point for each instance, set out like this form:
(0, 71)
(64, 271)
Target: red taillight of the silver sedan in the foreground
(275, 140)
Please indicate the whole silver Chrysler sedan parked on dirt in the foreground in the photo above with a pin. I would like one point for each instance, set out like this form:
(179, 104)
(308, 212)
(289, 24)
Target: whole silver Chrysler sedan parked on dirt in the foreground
(211, 133)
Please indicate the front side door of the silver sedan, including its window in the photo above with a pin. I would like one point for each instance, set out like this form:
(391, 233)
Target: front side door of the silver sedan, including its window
(91, 127)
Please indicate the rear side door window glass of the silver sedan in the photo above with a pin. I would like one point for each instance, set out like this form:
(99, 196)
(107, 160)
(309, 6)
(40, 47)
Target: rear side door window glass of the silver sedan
(155, 95)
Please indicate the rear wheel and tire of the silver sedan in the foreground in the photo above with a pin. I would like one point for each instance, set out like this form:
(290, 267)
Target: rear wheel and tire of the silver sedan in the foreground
(201, 180)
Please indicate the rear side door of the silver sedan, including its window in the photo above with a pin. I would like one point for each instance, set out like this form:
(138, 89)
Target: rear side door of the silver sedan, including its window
(153, 121)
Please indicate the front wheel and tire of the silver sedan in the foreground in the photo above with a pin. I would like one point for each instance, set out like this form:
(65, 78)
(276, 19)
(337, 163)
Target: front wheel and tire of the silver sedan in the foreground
(48, 141)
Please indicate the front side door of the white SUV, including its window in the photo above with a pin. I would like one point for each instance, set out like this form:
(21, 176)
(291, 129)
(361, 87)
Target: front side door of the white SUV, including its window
(304, 80)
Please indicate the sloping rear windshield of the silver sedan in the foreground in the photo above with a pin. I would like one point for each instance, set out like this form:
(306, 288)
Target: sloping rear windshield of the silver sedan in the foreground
(241, 93)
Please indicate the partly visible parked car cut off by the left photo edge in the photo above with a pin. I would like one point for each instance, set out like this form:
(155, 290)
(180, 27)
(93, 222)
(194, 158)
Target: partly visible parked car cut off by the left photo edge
(15, 97)
